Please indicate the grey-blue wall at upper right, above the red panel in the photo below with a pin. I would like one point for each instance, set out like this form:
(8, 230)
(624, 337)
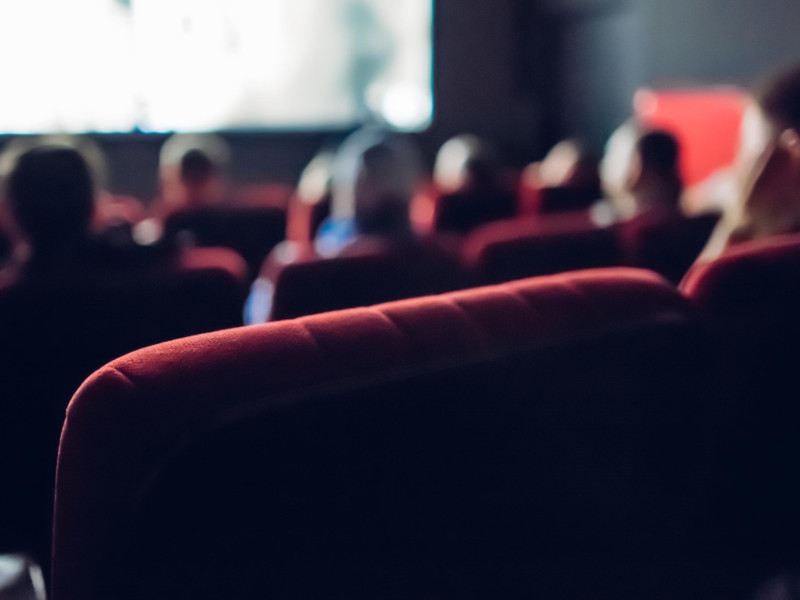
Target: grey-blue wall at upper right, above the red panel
(611, 47)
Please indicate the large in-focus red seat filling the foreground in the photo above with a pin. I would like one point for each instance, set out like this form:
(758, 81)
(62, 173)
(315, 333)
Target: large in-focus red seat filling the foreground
(436, 447)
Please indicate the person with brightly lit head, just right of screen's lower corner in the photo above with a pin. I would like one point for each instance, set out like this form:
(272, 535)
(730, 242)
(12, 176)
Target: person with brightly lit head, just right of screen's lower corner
(467, 177)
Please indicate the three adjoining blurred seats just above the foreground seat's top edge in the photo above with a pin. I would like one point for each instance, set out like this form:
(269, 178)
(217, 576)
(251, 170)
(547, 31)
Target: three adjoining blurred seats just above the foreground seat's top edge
(304, 283)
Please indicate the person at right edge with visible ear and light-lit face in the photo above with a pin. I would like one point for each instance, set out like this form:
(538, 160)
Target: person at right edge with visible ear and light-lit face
(767, 171)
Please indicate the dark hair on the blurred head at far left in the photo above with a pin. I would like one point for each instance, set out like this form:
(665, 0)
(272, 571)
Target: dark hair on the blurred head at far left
(50, 192)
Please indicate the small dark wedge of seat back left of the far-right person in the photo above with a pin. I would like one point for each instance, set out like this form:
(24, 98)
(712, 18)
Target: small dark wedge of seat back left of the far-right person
(667, 246)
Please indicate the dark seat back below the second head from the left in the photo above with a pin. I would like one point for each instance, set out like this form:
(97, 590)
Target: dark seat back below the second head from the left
(252, 231)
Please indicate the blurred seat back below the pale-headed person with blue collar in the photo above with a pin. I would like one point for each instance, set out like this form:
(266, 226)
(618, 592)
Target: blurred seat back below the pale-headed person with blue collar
(369, 272)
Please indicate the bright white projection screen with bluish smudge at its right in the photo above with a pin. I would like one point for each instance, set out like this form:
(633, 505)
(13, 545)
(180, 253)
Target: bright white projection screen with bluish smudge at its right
(206, 65)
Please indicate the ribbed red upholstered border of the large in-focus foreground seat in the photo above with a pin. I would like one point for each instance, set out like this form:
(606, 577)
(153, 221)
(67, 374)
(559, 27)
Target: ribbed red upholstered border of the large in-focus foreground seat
(126, 415)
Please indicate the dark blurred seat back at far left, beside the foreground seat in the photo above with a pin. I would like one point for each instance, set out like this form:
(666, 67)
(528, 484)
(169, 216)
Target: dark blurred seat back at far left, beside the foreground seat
(56, 330)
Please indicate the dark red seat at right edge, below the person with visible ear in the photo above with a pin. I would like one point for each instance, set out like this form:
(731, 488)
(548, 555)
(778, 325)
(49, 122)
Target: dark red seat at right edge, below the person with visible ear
(750, 298)
